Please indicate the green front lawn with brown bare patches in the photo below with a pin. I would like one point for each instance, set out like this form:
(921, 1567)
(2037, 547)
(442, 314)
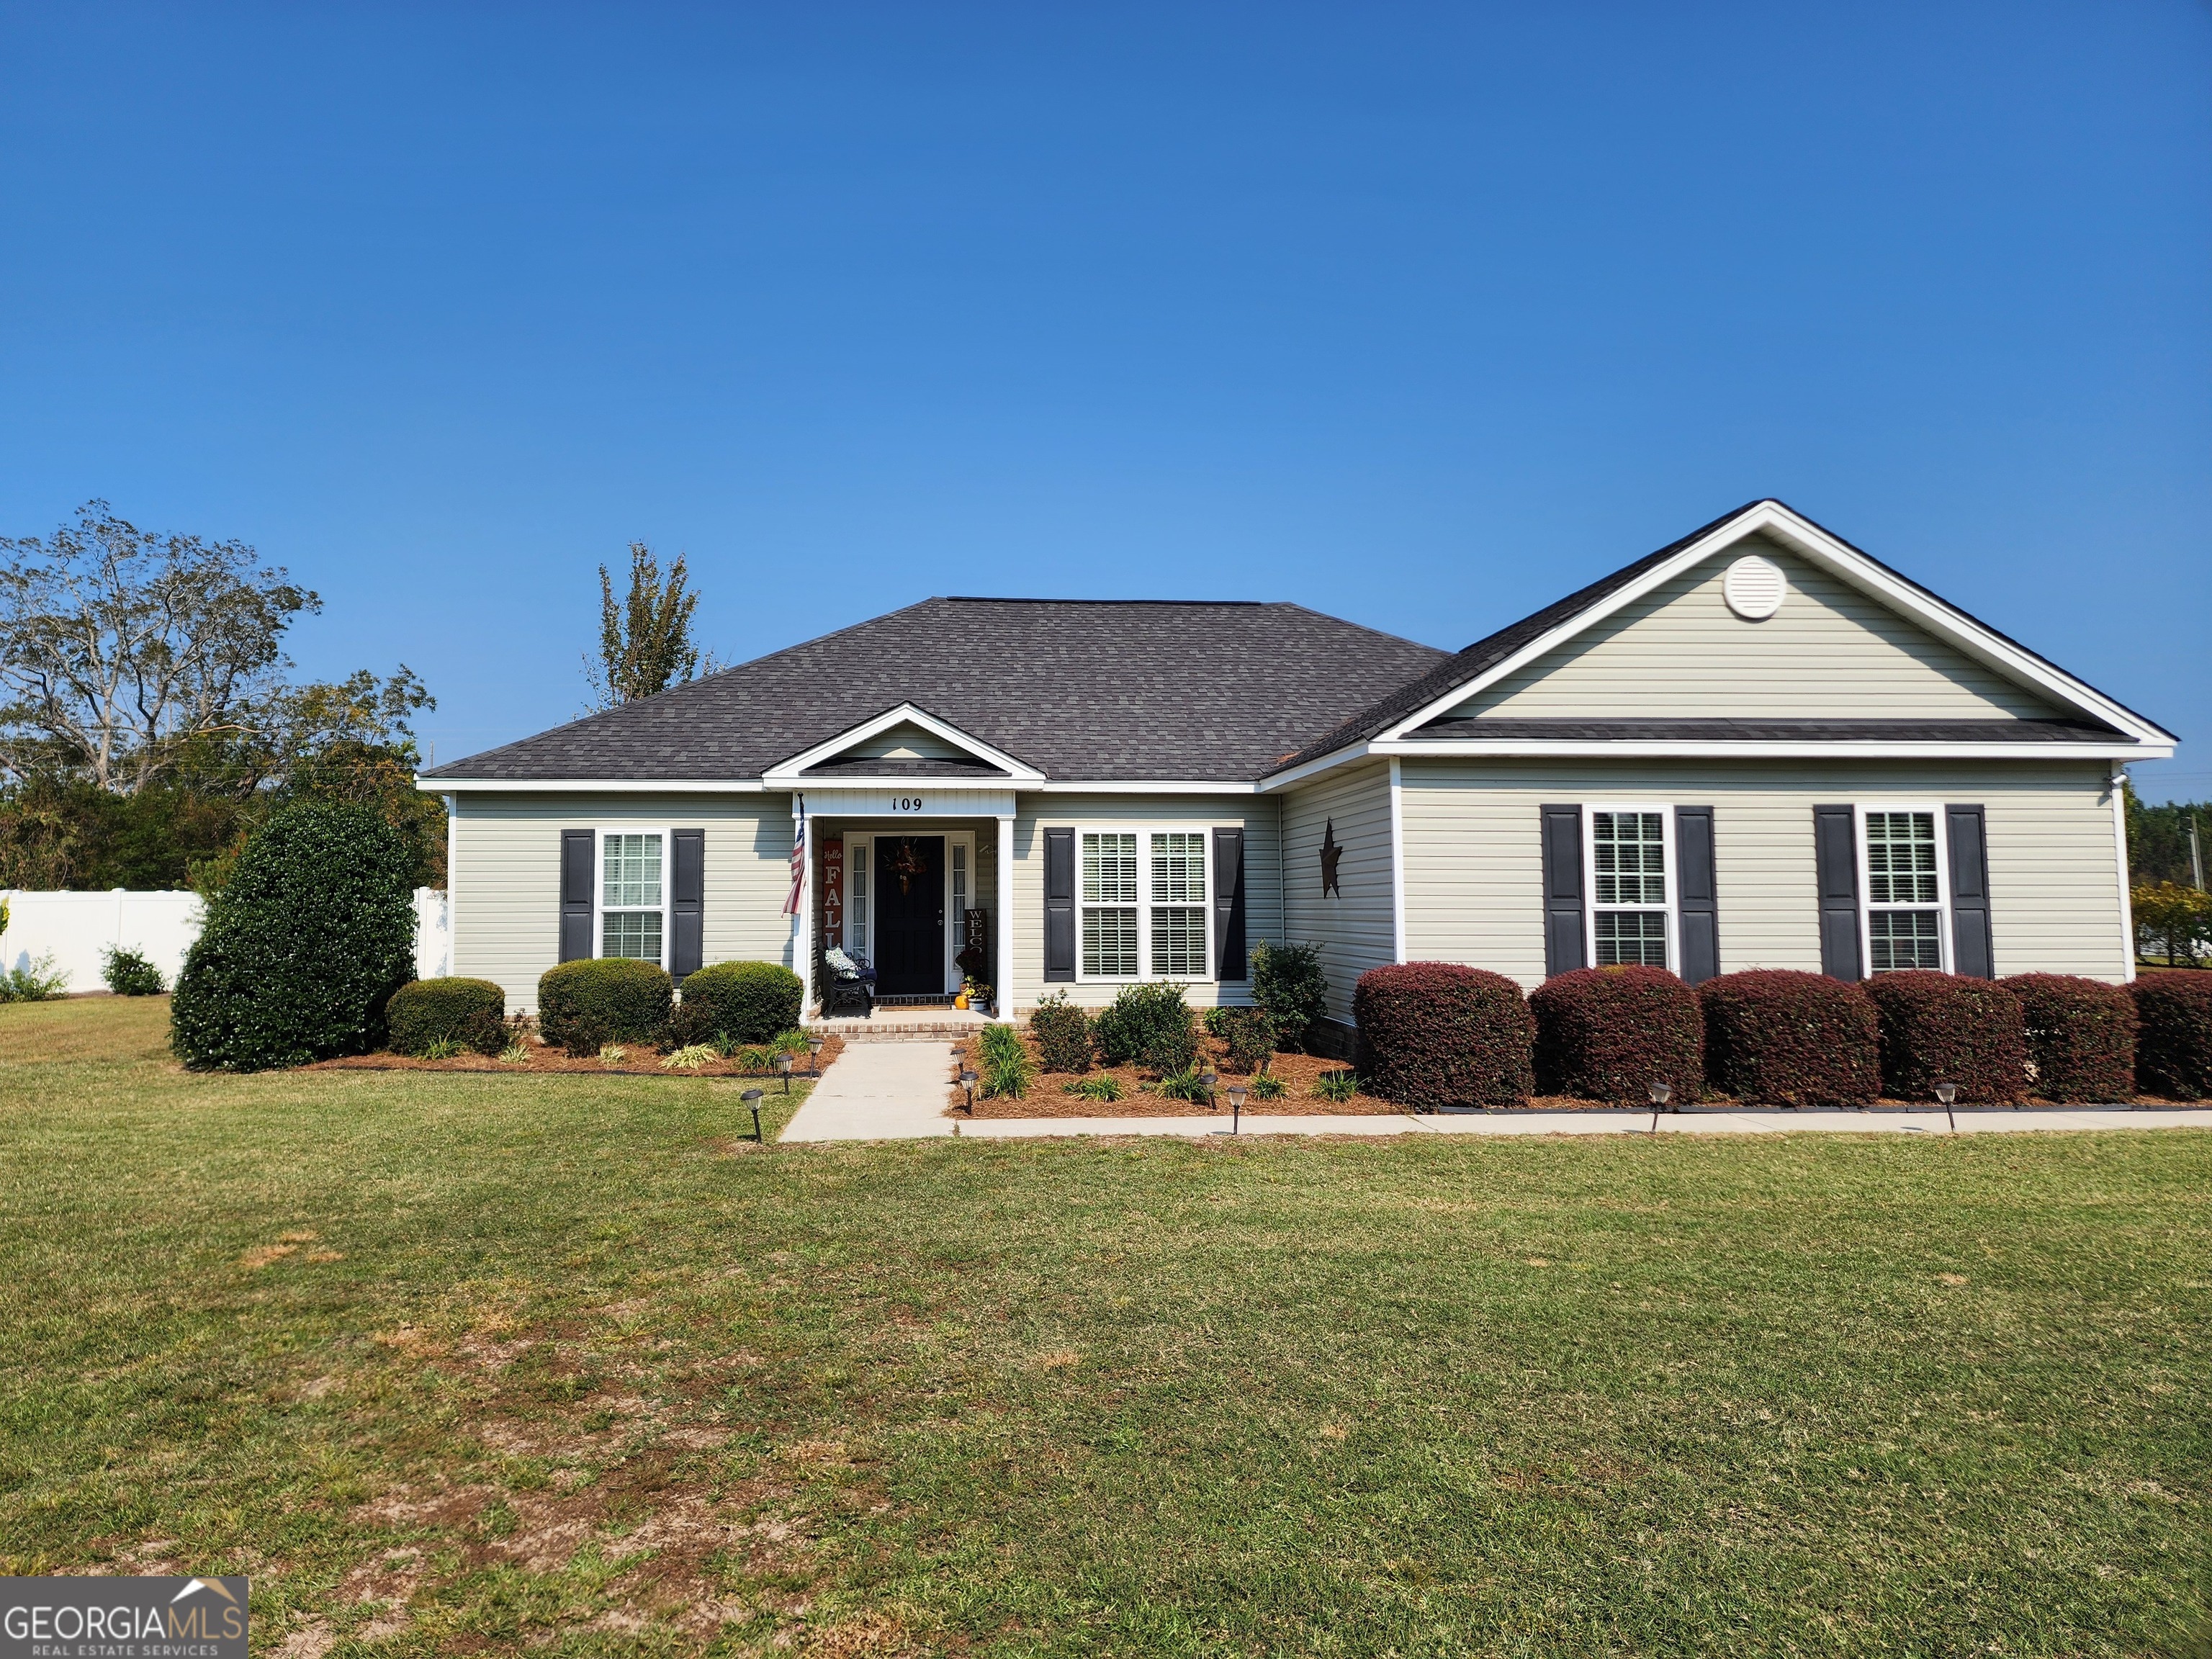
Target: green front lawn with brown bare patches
(561, 1366)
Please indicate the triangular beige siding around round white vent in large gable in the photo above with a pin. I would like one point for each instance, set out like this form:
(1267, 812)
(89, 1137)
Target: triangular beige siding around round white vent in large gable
(1828, 654)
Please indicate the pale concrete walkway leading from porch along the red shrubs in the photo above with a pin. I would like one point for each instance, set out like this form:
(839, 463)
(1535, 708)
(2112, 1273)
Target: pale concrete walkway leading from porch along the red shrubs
(895, 1092)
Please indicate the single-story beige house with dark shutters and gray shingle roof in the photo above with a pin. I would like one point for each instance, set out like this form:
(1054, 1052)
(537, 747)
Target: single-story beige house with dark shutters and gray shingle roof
(1751, 749)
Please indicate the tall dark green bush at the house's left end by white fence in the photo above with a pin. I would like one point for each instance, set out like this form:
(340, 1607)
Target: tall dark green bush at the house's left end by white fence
(302, 948)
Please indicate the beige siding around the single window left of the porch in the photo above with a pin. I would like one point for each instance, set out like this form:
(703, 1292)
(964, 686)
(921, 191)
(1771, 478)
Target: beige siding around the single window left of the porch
(508, 877)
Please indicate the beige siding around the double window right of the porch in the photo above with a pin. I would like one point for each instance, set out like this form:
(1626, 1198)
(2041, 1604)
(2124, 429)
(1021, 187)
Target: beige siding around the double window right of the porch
(1264, 879)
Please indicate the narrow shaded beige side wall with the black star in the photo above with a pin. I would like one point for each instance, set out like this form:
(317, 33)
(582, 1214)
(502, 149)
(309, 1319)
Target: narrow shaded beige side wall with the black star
(1355, 926)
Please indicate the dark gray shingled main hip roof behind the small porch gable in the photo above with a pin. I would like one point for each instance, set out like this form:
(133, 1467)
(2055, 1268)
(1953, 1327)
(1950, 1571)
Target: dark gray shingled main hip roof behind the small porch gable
(1078, 689)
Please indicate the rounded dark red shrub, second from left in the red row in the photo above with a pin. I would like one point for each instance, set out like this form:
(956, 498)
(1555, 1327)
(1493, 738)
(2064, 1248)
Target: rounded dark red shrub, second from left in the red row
(1611, 1034)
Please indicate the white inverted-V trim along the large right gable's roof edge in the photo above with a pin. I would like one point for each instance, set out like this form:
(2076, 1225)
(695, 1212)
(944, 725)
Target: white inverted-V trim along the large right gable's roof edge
(1848, 565)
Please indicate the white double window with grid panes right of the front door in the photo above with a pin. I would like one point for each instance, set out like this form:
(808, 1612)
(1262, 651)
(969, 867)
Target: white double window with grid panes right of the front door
(1145, 904)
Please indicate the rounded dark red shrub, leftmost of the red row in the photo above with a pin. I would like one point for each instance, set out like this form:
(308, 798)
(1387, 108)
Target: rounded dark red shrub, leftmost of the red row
(1439, 1034)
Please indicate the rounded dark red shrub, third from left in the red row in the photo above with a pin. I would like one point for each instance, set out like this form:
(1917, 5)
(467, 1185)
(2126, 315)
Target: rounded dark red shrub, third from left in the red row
(1782, 1039)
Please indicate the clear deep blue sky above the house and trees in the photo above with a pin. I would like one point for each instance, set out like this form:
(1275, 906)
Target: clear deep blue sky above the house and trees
(1412, 315)
